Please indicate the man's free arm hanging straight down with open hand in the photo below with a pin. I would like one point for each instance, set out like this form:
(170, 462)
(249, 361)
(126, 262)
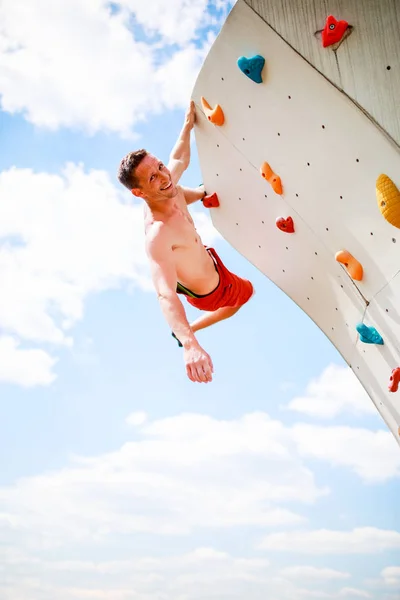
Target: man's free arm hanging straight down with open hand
(198, 363)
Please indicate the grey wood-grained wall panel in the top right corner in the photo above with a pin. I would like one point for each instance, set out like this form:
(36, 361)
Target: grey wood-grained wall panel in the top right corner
(368, 61)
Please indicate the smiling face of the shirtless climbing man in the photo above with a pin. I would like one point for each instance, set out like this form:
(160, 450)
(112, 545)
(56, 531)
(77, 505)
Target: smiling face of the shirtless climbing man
(154, 179)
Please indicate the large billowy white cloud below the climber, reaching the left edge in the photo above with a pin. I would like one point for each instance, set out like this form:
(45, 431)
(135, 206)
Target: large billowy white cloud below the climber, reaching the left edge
(185, 472)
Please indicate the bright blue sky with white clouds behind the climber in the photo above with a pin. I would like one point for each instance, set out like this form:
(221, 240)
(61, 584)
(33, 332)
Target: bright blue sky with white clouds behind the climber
(121, 479)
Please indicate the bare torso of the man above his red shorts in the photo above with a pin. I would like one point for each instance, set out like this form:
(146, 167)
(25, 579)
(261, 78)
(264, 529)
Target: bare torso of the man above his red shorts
(194, 266)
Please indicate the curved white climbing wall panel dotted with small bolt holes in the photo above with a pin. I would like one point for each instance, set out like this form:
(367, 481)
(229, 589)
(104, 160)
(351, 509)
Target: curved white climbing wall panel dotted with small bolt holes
(296, 128)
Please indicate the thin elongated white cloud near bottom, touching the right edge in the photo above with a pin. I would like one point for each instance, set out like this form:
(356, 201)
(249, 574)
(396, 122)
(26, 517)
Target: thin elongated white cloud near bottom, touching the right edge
(362, 540)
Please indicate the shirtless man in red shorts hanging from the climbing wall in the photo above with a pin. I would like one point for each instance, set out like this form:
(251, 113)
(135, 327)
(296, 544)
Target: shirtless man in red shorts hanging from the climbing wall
(179, 262)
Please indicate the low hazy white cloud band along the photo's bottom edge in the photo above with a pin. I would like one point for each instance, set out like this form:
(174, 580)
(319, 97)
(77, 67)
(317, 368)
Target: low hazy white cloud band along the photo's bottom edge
(202, 573)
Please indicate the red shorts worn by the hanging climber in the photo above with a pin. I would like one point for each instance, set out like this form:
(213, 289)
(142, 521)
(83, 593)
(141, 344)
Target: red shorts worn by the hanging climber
(231, 291)
